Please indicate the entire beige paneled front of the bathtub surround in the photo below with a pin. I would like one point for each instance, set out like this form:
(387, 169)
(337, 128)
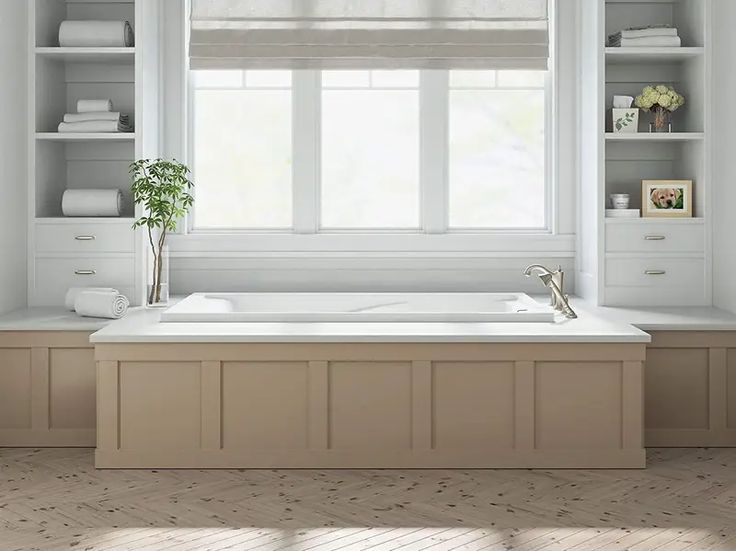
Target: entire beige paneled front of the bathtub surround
(363, 405)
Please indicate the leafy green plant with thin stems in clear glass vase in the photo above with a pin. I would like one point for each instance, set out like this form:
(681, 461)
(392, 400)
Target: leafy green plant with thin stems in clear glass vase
(163, 189)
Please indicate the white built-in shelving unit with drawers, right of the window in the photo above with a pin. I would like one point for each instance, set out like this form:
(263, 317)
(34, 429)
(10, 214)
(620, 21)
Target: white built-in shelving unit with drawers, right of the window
(645, 261)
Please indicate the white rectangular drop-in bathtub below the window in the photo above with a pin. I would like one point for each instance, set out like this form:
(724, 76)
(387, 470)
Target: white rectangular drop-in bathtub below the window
(358, 307)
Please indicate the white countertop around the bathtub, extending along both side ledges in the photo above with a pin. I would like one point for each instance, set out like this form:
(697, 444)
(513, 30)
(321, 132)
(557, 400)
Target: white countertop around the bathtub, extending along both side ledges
(595, 324)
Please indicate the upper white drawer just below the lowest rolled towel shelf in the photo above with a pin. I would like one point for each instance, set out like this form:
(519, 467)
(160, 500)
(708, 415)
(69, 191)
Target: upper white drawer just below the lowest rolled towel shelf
(85, 238)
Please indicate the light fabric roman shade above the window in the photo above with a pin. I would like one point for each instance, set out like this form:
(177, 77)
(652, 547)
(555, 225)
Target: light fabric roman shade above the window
(334, 34)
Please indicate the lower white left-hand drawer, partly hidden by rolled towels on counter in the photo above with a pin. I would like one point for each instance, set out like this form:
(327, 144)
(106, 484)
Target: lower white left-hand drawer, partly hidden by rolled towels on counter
(54, 276)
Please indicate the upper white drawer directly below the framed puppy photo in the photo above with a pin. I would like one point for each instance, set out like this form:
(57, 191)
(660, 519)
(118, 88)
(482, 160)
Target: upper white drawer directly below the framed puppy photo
(655, 237)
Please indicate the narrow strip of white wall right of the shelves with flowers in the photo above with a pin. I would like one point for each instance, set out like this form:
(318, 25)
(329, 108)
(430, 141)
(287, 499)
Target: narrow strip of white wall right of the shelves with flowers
(724, 151)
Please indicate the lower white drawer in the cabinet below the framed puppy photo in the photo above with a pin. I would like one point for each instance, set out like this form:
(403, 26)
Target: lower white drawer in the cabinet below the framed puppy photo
(653, 271)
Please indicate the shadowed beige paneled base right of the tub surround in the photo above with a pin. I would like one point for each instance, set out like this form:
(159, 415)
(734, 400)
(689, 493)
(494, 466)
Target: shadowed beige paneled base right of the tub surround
(690, 389)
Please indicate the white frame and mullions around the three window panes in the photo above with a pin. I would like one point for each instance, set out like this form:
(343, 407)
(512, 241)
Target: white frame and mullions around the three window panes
(433, 160)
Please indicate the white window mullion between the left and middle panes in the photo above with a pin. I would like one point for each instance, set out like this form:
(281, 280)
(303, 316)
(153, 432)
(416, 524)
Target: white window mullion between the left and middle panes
(306, 154)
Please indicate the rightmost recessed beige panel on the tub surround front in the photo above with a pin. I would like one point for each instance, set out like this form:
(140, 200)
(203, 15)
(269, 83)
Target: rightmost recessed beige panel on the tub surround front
(578, 405)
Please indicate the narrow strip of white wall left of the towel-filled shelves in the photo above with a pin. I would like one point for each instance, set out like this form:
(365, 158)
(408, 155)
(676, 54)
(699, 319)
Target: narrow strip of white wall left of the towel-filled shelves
(13, 147)
